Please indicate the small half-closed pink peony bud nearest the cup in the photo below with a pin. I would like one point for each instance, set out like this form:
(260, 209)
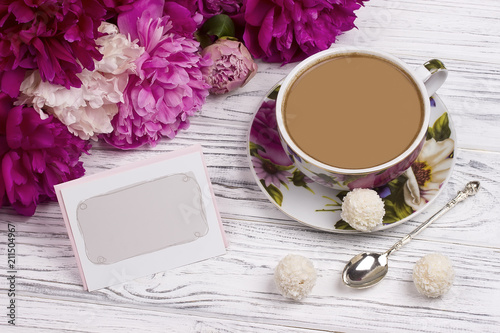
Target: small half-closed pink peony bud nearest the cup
(232, 66)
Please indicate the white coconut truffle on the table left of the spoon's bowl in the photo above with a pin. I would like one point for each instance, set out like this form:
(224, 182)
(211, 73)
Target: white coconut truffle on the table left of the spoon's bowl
(295, 276)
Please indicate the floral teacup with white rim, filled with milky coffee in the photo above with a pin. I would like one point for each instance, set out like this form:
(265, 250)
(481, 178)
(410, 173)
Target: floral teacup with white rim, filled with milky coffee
(426, 79)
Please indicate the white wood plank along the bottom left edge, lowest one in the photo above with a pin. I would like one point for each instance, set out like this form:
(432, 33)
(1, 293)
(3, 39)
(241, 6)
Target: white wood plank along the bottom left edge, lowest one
(48, 315)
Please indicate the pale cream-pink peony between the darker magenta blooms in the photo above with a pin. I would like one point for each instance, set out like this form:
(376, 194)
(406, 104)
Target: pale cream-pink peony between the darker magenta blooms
(87, 111)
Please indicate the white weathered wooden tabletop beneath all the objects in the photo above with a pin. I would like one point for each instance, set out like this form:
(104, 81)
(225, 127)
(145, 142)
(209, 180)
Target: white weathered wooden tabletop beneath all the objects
(236, 292)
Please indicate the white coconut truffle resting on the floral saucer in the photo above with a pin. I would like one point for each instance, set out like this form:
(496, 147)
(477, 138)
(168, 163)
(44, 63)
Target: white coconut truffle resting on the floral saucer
(363, 209)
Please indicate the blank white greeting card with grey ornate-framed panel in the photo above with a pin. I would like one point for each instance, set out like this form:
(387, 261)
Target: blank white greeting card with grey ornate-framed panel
(143, 218)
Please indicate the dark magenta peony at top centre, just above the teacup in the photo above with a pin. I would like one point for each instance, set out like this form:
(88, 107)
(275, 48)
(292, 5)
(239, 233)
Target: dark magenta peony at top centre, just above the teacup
(288, 31)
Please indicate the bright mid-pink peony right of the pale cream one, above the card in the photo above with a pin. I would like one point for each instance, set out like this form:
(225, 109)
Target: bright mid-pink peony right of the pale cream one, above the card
(167, 89)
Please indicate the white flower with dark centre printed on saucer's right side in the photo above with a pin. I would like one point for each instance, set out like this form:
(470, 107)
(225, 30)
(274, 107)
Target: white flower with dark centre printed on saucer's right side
(428, 172)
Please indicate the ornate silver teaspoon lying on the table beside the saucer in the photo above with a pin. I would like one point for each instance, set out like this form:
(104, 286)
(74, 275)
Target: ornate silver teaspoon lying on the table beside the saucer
(367, 269)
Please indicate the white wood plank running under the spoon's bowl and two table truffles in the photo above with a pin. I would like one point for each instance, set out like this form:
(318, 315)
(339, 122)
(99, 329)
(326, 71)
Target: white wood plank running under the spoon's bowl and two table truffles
(239, 285)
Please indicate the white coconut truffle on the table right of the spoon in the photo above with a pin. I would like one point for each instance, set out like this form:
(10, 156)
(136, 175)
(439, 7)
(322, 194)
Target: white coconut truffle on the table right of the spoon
(433, 275)
